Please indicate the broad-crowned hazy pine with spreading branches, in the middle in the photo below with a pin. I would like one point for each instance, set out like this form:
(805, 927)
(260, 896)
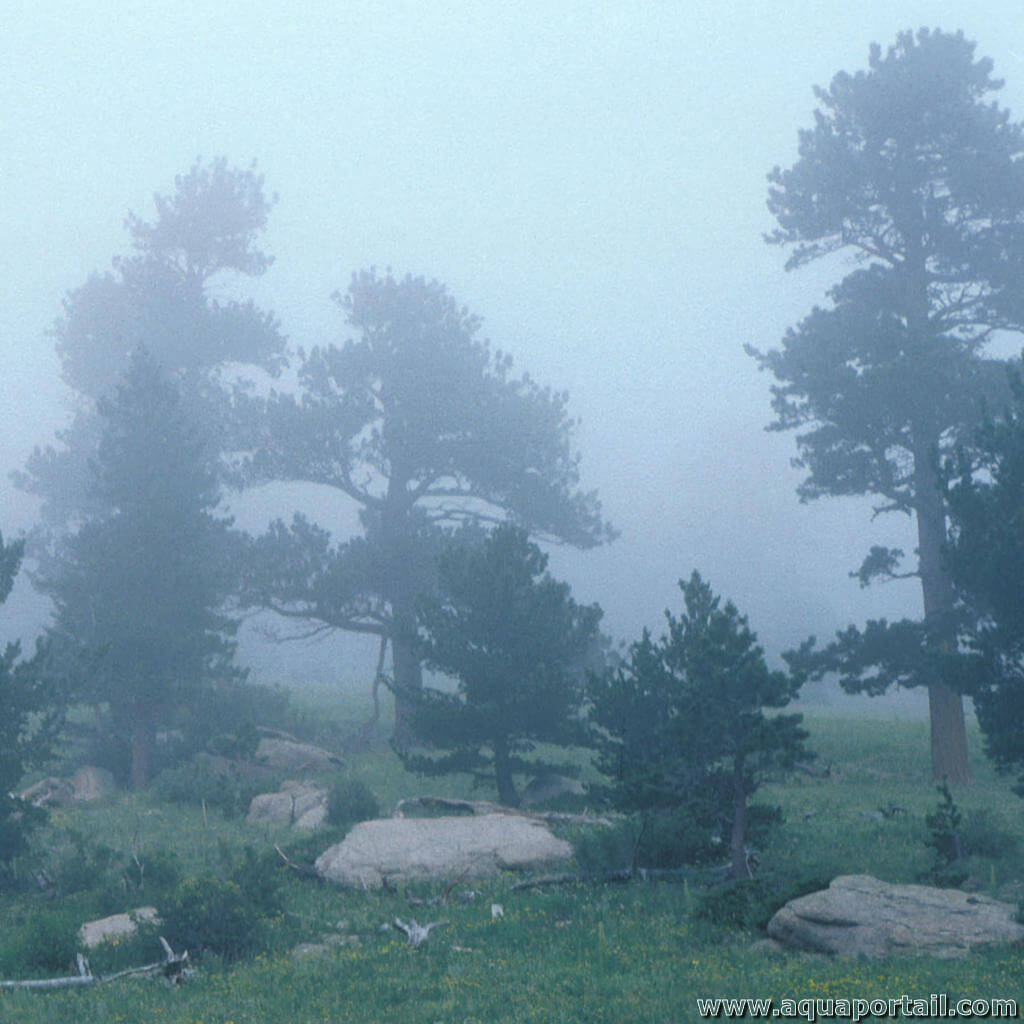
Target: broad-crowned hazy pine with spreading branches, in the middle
(420, 423)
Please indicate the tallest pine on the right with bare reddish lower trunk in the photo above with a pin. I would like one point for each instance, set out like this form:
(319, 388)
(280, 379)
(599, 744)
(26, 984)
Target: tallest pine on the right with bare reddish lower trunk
(915, 172)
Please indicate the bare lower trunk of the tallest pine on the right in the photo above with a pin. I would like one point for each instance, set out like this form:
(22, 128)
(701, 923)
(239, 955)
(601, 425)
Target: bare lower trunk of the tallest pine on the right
(946, 706)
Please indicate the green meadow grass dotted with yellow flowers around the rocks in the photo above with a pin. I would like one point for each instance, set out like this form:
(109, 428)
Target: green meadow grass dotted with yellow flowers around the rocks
(619, 954)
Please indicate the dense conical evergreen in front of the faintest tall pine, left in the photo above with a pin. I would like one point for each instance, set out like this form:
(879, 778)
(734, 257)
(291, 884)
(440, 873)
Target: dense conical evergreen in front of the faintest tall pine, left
(139, 590)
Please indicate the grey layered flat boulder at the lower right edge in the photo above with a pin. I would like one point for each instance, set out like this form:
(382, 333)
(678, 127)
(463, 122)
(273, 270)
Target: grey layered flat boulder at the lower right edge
(861, 916)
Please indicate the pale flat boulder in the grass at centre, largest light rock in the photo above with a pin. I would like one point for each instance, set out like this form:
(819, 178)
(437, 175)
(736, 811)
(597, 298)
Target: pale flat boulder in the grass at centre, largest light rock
(438, 848)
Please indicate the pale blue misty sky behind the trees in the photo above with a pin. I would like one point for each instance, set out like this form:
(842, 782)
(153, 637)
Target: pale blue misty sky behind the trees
(587, 178)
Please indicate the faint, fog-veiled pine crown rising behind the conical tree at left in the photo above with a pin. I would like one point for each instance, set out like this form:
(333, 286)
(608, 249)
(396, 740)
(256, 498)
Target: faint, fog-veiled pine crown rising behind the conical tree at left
(159, 298)
